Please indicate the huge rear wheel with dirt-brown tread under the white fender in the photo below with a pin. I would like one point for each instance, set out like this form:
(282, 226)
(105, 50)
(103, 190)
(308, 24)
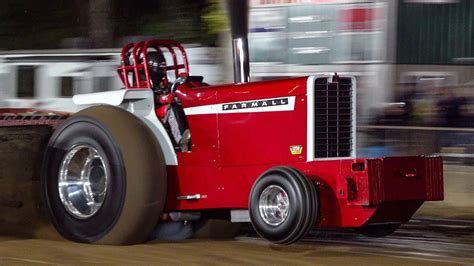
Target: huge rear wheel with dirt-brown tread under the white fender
(132, 165)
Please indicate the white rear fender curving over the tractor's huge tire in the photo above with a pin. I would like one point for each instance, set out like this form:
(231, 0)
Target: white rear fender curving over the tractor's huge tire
(139, 102)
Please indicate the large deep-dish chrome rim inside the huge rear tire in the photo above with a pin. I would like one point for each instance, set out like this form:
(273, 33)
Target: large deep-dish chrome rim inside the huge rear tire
(82, 182)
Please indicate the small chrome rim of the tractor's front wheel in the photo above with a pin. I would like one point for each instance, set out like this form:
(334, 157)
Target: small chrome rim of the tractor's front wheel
(274, 205)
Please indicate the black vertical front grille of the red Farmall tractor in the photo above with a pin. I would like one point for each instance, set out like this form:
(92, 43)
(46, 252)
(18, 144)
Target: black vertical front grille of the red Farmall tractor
(333, 118)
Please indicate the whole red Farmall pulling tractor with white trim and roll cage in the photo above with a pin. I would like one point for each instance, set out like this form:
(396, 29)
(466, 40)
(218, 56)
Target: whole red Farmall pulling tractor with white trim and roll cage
(279, 154)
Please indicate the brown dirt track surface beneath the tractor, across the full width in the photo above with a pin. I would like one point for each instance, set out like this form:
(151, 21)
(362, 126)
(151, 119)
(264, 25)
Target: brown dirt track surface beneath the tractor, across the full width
(420, 242)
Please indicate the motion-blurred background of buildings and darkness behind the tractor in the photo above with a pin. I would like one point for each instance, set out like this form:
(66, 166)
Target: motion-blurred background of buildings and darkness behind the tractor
(413, 59)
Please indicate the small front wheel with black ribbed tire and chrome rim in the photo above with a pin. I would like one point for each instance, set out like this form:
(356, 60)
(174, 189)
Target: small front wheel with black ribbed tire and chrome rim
(283, 205)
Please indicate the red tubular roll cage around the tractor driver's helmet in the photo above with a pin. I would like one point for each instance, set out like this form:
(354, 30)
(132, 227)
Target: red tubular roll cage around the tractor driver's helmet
(135, 74)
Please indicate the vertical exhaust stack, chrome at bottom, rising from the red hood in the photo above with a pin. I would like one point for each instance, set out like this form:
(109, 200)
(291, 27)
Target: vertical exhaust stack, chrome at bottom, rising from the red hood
(238, 12)
